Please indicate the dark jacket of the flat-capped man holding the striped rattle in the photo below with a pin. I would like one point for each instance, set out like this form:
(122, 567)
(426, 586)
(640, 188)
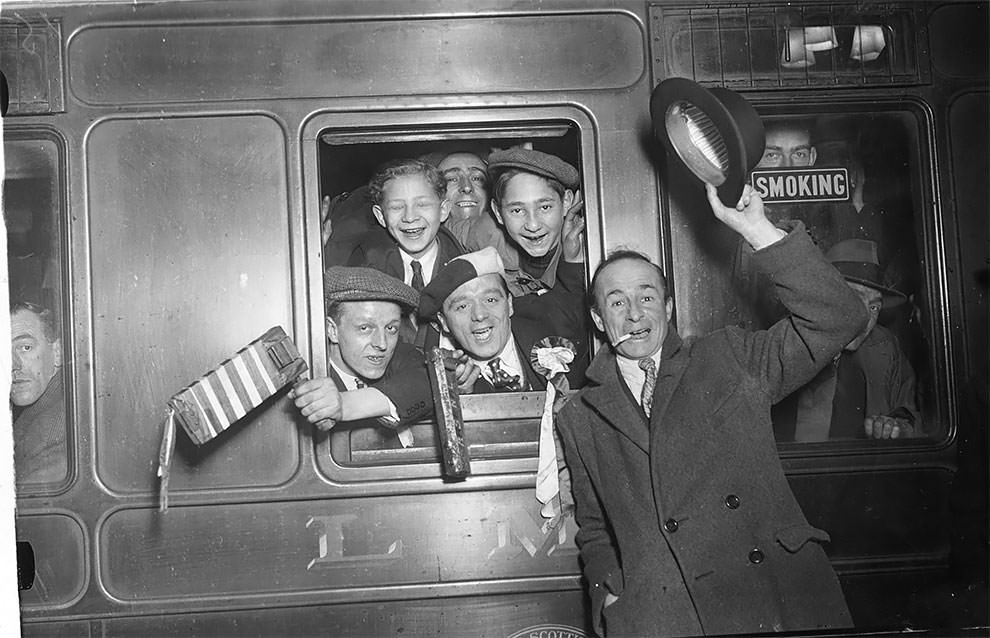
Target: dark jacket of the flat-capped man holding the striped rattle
(405, 383)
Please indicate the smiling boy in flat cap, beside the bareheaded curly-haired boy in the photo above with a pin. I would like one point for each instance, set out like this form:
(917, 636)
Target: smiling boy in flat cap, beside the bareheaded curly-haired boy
(536, 197)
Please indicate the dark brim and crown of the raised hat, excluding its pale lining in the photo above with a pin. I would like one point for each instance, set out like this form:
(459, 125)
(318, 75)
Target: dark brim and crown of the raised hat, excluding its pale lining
(717, 107)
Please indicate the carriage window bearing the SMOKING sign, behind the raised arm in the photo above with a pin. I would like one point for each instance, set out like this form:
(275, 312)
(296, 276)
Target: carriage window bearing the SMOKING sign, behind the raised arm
(859, 179)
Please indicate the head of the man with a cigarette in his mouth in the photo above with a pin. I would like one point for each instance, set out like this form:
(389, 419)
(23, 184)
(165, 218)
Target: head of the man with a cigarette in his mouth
(629, 298)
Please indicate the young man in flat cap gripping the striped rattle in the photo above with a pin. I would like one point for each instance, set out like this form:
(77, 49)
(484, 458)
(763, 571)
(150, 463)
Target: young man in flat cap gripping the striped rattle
(372, 373)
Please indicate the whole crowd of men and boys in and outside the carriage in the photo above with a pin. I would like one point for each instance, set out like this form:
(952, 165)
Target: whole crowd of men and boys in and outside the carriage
(484, 257)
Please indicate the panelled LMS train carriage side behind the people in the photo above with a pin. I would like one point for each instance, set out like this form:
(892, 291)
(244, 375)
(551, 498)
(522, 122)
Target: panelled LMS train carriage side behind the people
(166, 167)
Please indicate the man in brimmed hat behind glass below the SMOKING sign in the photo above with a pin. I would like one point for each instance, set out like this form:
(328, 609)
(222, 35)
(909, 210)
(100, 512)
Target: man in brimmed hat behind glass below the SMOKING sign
(868, 390)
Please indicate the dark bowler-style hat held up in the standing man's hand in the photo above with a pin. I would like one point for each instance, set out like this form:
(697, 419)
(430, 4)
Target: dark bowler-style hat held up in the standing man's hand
(722, 117)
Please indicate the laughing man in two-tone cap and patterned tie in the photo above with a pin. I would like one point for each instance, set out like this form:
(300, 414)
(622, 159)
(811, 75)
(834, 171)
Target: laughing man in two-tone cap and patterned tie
(470, 300)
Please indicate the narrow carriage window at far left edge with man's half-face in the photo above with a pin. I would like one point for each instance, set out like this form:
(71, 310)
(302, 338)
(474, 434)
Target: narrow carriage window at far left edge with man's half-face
(31, 204)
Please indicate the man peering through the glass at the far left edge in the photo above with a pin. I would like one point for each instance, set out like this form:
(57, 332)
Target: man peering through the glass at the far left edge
(37, 395)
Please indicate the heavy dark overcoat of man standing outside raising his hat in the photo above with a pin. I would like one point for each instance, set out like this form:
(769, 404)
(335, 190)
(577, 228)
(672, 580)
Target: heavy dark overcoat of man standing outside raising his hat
(689, 518)
